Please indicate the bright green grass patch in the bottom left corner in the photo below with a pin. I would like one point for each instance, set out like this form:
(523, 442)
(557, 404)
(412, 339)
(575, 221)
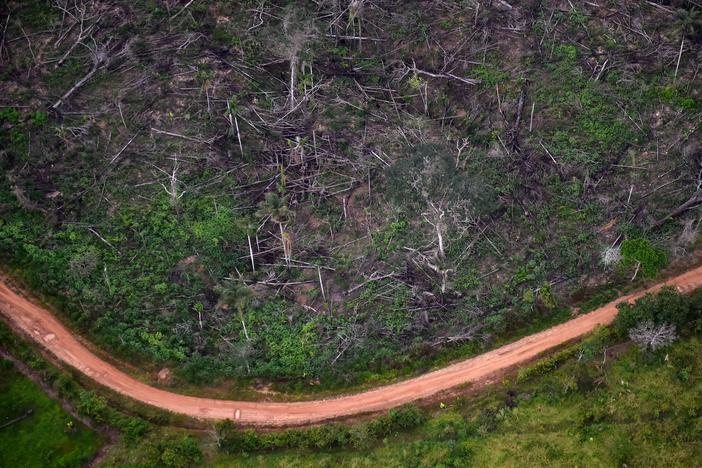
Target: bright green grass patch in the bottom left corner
(48, 436)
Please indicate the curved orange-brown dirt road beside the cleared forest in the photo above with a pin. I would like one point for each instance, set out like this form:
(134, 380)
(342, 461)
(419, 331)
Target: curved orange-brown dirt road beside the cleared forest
(45, 329)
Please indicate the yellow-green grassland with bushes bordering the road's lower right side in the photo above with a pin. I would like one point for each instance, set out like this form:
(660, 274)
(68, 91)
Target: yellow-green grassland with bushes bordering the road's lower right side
(602, 402)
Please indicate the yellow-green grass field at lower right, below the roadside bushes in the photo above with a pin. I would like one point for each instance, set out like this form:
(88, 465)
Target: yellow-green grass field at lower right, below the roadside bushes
(635, 410)
